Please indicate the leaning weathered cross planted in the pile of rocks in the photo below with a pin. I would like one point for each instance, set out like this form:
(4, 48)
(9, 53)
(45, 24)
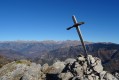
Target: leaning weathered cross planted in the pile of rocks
(76, 25)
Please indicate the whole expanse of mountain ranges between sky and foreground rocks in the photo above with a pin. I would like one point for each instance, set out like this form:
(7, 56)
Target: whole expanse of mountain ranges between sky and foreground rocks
(49, 51)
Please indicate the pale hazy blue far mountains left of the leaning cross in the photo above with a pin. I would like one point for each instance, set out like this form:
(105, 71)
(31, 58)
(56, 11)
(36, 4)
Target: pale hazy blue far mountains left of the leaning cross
(32, 48)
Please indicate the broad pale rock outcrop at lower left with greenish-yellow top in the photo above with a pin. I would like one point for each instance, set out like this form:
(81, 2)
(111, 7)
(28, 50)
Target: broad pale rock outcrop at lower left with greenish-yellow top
(20, 70)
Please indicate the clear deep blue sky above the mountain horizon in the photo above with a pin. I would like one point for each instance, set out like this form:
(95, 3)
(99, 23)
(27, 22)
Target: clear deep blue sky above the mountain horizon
(48, 20)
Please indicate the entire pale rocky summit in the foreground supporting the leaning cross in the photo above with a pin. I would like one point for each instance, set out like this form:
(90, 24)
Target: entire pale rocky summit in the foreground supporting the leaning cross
(81, 68)
